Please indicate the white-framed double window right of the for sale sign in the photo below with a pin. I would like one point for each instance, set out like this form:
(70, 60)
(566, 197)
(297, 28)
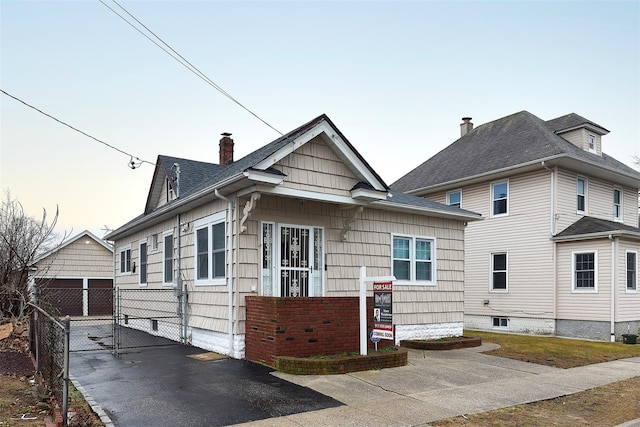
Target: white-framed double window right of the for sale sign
(414, 259)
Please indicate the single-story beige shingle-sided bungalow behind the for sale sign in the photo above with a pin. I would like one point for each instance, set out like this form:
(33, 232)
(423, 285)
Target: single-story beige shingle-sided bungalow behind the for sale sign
(292, 221)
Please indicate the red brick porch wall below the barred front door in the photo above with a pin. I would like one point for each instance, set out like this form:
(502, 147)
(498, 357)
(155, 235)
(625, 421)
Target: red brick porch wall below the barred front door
(303, 327)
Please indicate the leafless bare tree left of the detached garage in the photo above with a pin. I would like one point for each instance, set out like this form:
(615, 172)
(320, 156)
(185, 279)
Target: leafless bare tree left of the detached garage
(22, 239)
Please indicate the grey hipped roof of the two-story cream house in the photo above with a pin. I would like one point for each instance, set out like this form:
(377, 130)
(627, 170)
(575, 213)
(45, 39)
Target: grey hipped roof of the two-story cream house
(509, 143)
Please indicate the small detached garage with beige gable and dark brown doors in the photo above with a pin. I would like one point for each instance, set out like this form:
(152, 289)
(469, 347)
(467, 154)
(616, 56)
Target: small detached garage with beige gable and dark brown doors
(76, 277)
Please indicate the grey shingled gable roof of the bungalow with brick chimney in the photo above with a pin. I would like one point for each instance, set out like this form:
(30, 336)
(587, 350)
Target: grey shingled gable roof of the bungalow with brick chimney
(208, 181)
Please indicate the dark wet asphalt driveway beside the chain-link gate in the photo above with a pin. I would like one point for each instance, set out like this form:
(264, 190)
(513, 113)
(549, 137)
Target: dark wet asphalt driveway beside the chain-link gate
(164, 387)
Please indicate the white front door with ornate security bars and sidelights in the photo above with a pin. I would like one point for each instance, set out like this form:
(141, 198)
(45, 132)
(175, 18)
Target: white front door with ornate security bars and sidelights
(293, 260)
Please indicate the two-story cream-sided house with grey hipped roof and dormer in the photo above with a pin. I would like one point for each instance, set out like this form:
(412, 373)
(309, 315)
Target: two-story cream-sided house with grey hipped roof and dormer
(557, 252)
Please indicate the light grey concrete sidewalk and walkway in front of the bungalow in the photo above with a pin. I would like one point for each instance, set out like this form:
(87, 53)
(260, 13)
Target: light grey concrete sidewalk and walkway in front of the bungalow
(436, 385)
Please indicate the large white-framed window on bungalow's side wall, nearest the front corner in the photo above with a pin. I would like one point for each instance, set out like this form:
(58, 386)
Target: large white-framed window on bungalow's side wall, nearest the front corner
(210, 238)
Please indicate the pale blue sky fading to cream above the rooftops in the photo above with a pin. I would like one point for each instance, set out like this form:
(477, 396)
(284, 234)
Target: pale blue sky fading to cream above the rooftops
(394, 77)
